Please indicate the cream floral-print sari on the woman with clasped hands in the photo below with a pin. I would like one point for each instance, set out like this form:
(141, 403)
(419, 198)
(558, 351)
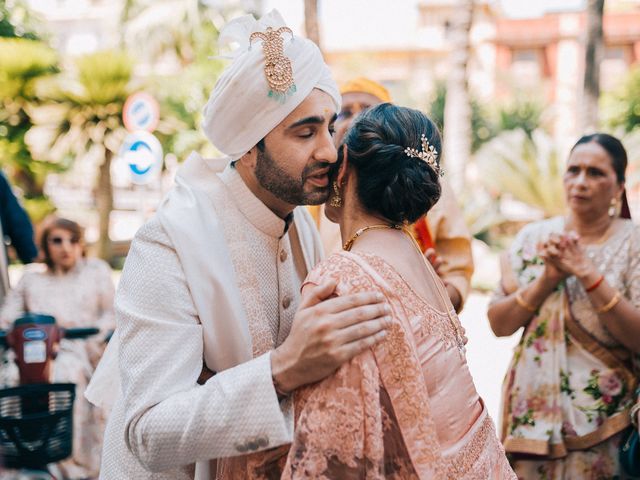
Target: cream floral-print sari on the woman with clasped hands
(567, 393)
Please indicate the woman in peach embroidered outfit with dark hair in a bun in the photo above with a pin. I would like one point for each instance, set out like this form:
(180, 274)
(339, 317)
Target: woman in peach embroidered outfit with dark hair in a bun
(407, 408)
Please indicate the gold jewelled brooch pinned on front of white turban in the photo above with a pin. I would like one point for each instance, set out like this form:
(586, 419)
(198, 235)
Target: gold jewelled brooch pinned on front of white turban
(277, 67)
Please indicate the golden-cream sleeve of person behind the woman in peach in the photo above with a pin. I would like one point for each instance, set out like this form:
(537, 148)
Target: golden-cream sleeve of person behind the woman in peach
(452, 241)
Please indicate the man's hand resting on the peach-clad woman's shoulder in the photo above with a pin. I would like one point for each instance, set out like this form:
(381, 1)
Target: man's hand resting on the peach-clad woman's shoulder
(328, 331)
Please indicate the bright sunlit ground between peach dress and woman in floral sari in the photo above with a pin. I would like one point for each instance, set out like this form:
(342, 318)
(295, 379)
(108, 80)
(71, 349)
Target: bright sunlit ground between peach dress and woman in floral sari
(487, 355)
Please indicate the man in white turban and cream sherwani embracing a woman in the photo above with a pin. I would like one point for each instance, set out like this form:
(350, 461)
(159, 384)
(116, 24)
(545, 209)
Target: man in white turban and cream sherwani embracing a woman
(212, 333)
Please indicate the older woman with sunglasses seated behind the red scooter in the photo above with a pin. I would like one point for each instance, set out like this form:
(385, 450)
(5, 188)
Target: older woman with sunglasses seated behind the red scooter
(78, 292)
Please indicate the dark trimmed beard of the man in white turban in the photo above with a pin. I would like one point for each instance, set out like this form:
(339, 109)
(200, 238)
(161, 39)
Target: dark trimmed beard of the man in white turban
(287, 188)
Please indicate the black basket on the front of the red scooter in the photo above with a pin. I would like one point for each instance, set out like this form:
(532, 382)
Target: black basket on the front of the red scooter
(36, 424)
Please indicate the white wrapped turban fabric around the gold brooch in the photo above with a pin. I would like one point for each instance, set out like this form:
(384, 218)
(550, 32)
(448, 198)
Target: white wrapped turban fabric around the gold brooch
(240, 111)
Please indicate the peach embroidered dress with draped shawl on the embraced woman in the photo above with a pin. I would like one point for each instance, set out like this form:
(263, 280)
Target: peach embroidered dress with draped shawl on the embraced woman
(406, 409)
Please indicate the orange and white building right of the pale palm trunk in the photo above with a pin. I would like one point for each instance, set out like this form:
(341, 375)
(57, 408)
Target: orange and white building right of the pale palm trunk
(546, 55)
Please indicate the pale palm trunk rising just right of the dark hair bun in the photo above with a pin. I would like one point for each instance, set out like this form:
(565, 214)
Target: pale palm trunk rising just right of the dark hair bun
(457, 113)
